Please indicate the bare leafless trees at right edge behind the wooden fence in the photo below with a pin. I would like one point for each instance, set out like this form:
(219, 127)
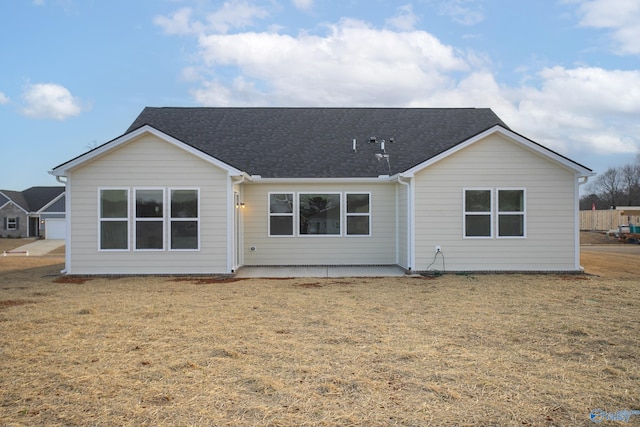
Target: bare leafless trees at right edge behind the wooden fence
(619, 186)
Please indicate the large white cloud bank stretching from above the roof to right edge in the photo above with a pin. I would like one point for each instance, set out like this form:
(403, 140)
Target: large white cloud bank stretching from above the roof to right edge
(571, 110)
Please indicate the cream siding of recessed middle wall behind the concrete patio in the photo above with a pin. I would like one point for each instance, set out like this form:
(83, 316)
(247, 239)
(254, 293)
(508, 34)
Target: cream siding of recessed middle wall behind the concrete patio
(342, 249)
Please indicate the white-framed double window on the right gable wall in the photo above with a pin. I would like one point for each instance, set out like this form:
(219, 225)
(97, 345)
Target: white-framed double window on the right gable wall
(507, 213)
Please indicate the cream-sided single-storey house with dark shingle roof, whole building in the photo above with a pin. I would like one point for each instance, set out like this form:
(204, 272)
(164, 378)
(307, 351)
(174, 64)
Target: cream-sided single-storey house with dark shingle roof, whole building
(210, 190)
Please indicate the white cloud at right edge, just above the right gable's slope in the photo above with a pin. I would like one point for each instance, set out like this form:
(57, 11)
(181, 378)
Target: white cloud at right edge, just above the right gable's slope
(580, 109)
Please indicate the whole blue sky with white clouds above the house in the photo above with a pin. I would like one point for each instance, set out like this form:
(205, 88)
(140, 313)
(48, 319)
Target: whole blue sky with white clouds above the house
(75, 73)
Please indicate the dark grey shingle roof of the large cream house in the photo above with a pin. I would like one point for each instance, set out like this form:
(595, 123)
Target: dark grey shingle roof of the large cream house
(317, 142)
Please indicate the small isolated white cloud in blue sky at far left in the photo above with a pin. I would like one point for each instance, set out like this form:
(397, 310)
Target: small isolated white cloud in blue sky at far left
(49, 101)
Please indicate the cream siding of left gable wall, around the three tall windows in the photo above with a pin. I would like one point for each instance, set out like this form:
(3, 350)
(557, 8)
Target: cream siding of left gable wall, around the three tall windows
(149, 162)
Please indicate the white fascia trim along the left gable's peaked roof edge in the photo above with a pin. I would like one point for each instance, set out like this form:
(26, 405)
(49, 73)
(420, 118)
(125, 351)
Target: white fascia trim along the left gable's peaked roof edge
(63, 169)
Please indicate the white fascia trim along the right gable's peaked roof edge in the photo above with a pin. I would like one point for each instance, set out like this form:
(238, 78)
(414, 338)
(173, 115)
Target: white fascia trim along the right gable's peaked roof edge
(524, 142)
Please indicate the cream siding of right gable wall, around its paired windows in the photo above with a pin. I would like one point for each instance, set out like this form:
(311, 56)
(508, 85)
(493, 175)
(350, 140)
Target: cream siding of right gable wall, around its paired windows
(496, 163)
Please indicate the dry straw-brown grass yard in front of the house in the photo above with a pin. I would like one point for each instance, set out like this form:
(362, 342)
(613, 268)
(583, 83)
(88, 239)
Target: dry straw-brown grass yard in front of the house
(455, 350)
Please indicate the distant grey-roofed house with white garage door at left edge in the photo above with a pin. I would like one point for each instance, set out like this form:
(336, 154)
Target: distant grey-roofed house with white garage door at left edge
(34, 212)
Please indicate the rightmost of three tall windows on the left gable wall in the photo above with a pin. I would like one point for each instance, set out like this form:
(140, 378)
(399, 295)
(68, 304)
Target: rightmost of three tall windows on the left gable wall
(185, 219)
